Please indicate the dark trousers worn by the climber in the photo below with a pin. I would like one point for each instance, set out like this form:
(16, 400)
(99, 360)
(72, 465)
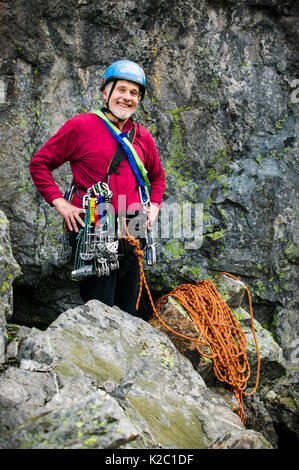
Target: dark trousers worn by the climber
(120, 288)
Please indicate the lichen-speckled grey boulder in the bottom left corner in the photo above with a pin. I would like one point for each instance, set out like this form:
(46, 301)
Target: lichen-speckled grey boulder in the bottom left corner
(93, 421)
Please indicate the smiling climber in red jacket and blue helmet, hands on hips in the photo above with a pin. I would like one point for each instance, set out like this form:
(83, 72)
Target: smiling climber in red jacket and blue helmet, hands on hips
(89, 142)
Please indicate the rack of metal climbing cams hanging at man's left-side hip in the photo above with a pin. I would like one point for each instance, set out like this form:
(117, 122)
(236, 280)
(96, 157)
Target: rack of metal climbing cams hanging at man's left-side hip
(96, 248)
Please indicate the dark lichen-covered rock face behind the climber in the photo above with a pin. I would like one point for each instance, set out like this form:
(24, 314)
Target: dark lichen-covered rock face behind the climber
(222, 104)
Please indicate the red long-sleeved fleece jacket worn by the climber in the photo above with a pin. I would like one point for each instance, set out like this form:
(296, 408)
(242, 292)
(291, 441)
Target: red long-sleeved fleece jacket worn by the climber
(88, 145)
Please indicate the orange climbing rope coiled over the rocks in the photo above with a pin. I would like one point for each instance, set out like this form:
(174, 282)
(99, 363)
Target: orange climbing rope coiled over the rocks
(217, 326)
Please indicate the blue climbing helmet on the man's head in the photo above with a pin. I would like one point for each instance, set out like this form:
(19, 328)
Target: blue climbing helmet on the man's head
(125, 70)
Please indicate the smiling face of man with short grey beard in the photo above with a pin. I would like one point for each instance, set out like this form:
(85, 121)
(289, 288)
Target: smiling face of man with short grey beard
(124, 99)
